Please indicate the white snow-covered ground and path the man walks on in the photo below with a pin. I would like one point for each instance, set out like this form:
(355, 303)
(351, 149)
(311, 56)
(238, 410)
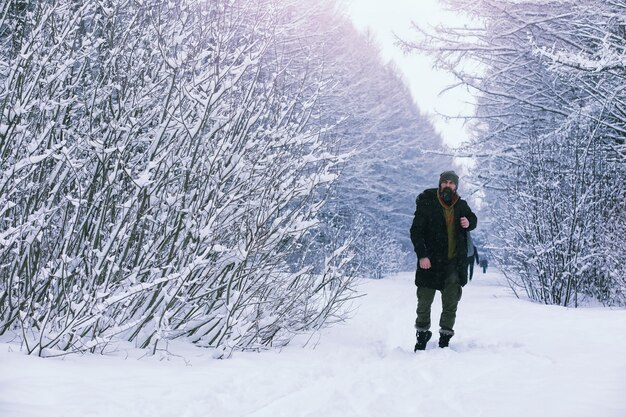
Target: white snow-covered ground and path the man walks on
(510, 358)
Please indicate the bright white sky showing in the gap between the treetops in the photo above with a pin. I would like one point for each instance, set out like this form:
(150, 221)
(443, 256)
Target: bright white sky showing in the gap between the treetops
(384, 18)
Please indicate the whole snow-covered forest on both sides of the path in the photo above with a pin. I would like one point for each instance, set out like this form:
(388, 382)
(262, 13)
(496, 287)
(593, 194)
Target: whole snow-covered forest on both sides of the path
(222, 171)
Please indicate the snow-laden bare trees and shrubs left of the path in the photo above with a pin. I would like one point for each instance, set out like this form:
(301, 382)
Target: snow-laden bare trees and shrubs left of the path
(169, 170)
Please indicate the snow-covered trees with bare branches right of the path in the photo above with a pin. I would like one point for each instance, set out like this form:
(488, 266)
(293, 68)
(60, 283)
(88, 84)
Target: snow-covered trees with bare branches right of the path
(550, 133)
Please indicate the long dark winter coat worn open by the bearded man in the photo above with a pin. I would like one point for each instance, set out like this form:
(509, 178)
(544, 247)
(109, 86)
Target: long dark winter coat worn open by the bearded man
(430, 239)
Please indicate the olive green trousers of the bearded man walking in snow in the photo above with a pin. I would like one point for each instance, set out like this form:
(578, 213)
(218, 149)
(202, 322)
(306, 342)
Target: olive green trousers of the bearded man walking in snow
(450, 297)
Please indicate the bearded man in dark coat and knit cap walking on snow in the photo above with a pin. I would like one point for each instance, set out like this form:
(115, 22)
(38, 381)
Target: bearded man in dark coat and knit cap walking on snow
(439, 235)
